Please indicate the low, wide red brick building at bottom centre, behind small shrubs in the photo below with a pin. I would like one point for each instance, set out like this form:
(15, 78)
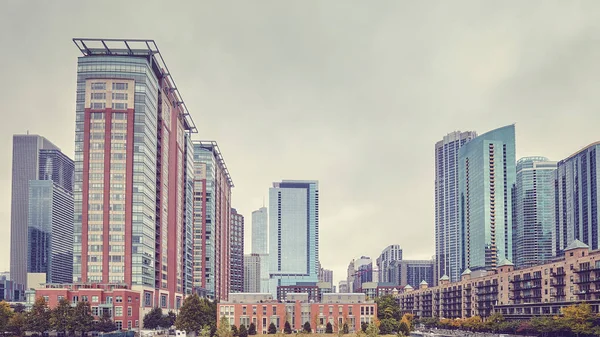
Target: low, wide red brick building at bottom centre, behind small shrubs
(262, 310)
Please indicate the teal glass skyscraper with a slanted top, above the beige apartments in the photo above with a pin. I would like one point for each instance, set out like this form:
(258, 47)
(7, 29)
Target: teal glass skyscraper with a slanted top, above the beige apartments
(486, 178)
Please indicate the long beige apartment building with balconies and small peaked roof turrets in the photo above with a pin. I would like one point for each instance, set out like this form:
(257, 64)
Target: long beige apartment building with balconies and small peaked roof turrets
(522, 293)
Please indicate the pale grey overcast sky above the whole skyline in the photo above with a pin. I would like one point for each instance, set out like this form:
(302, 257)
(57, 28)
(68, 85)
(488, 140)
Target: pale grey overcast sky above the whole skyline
(351, 93)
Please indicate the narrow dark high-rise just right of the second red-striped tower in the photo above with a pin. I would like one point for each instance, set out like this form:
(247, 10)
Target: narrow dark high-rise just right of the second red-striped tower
(237, 252)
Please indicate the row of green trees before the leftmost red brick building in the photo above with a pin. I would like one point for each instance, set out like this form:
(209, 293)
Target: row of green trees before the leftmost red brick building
(64, 319)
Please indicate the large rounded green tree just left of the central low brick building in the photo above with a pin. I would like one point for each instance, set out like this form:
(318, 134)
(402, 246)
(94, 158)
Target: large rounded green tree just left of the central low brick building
(195, 314)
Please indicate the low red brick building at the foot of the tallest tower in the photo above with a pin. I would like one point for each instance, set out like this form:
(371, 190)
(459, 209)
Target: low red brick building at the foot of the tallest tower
(122, 304)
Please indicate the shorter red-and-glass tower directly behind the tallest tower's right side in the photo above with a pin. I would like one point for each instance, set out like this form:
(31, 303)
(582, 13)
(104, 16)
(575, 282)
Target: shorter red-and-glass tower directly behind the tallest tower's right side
(212, 221)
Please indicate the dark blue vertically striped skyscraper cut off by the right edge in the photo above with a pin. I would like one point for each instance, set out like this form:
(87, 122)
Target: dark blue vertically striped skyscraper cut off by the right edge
(576, 199)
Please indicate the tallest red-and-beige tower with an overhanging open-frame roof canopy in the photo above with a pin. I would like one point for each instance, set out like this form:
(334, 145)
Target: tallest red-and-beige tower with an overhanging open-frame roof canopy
(132, 172)
